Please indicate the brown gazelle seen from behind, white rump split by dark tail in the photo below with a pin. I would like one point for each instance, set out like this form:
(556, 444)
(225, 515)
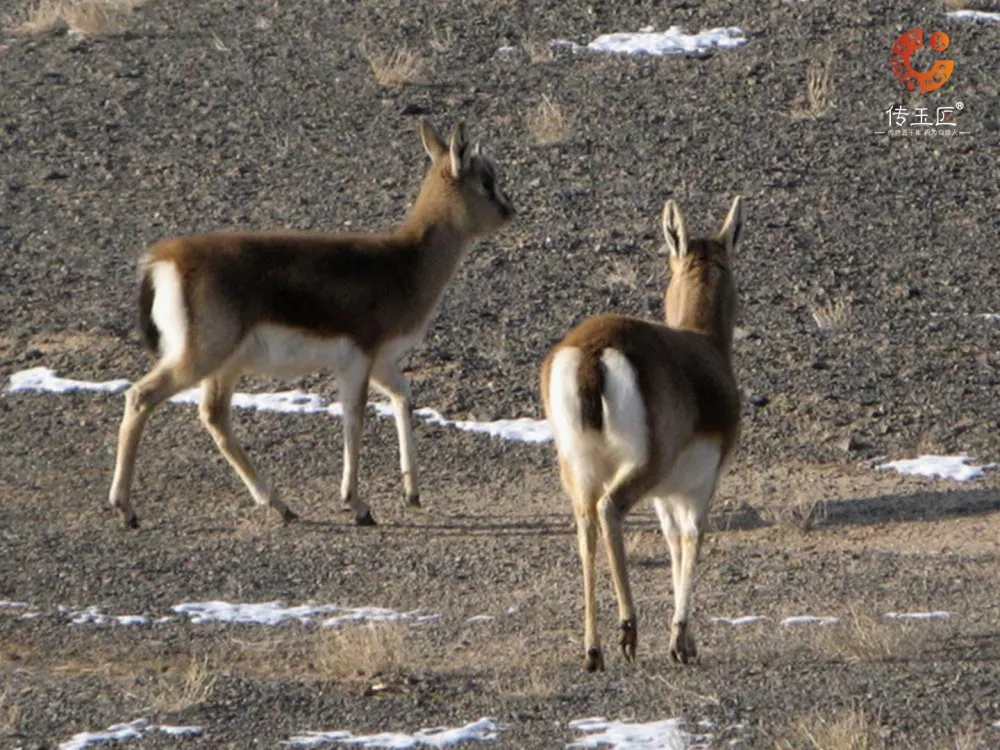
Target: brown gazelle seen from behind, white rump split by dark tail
(639, 409)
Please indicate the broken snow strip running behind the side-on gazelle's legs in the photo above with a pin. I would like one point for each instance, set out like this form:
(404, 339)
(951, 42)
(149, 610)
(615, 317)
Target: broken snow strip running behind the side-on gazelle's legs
(526, 430)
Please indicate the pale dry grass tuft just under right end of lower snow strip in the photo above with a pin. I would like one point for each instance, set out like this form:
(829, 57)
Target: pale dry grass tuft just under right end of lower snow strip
(361, 652)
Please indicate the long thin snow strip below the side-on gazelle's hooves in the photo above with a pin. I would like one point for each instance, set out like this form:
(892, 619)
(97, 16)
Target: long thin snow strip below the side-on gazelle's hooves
(275, 613)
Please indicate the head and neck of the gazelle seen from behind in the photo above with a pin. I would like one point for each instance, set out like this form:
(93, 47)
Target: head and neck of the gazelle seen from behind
(701, 295)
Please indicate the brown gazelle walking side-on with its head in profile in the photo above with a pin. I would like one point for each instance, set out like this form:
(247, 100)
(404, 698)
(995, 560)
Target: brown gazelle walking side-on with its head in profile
(218, 306)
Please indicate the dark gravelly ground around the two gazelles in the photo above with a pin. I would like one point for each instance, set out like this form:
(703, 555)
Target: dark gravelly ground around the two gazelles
(249, 114)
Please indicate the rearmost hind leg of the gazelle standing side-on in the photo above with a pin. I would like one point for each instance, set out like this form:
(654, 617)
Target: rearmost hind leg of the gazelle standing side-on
(140, 400)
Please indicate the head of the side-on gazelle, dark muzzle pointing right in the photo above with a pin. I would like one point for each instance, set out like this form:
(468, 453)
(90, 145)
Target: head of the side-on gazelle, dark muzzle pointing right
(461, 185)
